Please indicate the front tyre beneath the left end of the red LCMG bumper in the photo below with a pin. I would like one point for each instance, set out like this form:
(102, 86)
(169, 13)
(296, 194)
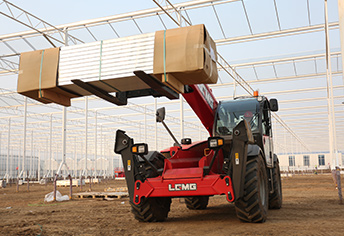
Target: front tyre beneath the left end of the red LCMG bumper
(152, 209)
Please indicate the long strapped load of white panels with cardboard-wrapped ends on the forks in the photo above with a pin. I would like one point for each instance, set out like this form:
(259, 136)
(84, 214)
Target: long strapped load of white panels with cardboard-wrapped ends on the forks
(175, 57)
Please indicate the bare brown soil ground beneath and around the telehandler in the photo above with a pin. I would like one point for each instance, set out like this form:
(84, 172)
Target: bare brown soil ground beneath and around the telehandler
(310, 207)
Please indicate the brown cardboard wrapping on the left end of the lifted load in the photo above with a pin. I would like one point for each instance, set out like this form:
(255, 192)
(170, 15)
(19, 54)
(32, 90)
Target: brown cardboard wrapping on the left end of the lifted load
(37, 77)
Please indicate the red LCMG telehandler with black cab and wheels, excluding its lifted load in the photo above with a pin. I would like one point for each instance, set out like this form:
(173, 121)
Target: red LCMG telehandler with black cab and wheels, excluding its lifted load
(237, 161)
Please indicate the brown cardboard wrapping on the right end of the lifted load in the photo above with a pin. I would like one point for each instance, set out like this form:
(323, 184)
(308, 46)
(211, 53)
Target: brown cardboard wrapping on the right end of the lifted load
(190, 55)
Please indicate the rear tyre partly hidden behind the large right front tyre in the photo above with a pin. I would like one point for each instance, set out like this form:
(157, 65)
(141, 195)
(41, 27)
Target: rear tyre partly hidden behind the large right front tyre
(275, 198)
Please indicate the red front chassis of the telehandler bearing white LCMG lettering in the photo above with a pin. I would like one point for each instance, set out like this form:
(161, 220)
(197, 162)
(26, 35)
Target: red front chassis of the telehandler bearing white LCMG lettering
(184, 176)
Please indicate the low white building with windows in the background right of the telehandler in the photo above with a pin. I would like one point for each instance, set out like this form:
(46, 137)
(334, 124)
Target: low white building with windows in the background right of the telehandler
(304, 161)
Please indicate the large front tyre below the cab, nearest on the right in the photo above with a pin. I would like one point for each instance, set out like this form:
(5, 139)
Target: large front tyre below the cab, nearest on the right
(253, 206)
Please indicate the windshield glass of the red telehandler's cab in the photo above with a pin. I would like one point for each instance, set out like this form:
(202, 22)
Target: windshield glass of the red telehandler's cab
(230, 113)
